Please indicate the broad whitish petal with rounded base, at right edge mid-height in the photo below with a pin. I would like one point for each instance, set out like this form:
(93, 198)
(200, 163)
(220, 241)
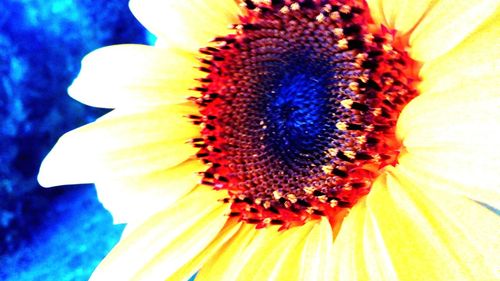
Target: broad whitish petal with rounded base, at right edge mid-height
(452, 140)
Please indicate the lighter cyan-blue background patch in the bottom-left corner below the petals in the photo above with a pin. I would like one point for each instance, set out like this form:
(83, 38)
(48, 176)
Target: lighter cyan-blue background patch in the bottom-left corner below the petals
(70, 241)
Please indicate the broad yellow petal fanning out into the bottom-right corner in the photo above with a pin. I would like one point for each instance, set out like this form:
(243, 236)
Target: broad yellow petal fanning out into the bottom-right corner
(432, 235)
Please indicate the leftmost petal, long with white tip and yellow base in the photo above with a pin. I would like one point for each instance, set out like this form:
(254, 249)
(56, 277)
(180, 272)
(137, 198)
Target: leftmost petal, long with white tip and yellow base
(121, 143)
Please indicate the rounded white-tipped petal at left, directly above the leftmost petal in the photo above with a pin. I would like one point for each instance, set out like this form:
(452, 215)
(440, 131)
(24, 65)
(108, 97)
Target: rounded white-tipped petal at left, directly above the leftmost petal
(135, 75)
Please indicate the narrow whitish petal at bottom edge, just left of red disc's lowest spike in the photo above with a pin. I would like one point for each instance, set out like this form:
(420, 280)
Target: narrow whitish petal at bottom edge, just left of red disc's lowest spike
(317, 254)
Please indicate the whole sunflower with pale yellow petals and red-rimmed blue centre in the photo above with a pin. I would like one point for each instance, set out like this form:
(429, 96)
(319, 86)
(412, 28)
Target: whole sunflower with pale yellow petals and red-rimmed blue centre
(296, 140)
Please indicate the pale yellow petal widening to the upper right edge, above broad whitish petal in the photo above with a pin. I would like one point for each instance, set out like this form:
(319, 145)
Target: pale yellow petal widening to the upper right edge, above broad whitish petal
(474, 65)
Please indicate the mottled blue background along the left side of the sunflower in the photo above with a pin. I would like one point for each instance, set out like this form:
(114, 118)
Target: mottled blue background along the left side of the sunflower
(41, 45)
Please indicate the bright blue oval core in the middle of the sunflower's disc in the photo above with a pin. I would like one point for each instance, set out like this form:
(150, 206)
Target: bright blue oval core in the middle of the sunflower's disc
(296, 114)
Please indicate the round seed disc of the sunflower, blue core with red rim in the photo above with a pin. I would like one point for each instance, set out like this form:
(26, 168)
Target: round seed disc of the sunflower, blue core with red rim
(298, 109)
